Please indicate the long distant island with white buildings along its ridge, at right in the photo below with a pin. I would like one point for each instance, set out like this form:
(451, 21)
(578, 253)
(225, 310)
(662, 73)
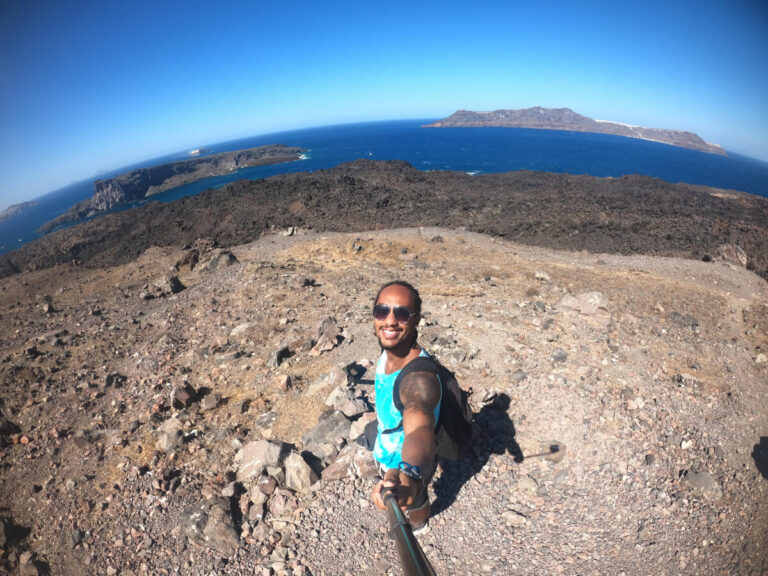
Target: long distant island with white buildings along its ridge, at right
(567, 119)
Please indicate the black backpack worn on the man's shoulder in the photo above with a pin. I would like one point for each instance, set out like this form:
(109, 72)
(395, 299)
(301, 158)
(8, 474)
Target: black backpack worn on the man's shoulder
(454, 425)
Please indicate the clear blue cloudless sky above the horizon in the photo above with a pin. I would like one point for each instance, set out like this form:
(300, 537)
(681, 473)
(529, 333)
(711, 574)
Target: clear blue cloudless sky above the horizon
(94, 85)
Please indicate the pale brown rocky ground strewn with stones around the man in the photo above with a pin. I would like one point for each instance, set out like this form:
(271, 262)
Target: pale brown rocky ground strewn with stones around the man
(159, 415)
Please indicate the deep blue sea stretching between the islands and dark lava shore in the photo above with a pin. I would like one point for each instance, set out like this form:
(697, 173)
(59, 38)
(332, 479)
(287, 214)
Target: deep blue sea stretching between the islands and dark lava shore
(472, 150)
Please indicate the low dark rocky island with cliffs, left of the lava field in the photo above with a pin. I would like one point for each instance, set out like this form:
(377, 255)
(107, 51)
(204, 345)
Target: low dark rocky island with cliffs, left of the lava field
(144, 182)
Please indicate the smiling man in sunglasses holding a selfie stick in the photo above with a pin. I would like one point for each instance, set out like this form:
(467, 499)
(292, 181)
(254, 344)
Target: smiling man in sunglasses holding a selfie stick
(405, 443)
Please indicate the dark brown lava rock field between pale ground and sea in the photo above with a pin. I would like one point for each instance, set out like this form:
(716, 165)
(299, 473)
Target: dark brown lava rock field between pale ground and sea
(629, 215)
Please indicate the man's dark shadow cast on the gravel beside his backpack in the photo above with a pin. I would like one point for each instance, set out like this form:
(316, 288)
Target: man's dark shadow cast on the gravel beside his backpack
(494, 433)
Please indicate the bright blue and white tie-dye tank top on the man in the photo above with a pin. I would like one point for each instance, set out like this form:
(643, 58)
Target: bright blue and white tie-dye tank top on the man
(390, 435)
